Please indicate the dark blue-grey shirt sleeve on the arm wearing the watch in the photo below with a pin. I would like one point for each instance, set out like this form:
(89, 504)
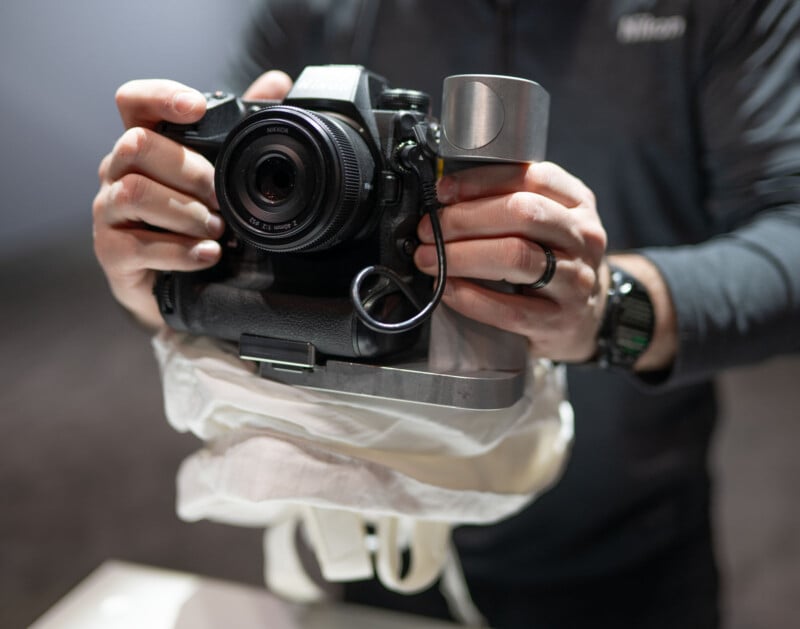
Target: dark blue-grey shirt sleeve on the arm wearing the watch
(737, 295)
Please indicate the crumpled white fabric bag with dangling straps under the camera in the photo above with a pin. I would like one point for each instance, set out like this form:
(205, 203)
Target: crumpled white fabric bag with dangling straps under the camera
(336, 465)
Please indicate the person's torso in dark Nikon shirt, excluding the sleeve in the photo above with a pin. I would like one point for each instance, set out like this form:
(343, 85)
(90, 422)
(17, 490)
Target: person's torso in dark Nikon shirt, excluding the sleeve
(620, 74)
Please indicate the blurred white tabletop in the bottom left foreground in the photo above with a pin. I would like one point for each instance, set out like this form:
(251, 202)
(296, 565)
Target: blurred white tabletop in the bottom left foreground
(121, 595)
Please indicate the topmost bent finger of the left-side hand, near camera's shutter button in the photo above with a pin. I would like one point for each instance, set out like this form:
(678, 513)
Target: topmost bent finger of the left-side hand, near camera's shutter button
(143, 103)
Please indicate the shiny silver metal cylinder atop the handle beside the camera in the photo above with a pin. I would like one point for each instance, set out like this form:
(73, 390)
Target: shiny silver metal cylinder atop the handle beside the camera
(493, 118)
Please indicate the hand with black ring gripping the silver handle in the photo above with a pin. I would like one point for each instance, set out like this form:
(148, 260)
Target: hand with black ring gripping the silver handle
(493, 218)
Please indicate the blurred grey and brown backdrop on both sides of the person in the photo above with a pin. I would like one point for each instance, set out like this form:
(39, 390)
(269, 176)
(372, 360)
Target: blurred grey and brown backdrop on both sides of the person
(87, 462)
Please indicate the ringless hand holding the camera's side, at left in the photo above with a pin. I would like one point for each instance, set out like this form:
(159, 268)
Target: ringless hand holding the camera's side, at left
(148, 181)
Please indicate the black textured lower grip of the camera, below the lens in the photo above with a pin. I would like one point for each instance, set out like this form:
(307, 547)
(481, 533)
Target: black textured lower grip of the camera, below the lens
(225, 311)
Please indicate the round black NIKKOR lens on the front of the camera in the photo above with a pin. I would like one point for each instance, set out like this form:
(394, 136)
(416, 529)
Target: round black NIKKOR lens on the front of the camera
(291, 179)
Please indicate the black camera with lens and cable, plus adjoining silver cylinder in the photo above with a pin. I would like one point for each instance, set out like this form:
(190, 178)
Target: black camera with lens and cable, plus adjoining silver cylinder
(322, 193)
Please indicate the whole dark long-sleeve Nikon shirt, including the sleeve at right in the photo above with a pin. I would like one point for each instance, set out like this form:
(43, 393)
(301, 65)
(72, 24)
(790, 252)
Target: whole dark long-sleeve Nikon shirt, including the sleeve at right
(684, 119)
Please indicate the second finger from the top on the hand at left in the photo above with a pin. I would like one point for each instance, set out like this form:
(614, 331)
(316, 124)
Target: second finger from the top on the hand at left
(145, 152)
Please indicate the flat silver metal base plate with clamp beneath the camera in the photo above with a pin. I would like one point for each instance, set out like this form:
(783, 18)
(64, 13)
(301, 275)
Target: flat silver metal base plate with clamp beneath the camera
(294, 363)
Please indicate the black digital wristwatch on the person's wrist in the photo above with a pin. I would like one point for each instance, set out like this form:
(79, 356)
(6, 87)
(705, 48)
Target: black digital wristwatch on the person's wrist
(628, 323)
